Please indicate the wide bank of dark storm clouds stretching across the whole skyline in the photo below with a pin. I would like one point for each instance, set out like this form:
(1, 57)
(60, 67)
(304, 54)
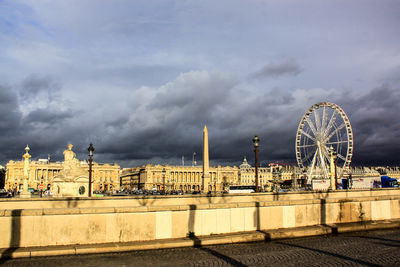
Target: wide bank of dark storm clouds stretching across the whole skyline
(167, 122)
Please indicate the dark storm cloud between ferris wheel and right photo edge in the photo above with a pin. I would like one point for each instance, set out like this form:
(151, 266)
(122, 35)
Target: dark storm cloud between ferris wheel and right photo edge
(376, 125)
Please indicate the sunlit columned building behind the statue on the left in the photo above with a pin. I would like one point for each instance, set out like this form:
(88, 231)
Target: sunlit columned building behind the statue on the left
(42, 171)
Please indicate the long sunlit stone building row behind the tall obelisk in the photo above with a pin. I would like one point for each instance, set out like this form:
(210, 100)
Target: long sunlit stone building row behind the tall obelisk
(189, 178)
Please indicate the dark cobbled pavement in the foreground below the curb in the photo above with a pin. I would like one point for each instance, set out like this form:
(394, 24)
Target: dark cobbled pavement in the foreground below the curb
(368, 248)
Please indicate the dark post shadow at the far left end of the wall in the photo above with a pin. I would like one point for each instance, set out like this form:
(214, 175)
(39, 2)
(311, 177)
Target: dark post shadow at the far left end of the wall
(15, 236)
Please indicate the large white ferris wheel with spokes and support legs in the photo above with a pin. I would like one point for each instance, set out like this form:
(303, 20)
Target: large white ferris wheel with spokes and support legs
(323, 128)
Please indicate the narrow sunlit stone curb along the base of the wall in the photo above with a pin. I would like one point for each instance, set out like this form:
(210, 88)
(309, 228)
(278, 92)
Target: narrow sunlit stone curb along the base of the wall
(199, 241)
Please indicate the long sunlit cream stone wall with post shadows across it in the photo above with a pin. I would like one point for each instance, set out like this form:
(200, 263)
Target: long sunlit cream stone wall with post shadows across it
(90, 221)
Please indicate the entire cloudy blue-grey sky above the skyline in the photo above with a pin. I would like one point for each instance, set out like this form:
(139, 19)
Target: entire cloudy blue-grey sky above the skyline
(140, 79)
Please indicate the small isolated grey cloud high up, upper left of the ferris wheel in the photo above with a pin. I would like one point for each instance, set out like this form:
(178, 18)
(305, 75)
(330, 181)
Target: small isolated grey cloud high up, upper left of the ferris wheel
(275, 70)
